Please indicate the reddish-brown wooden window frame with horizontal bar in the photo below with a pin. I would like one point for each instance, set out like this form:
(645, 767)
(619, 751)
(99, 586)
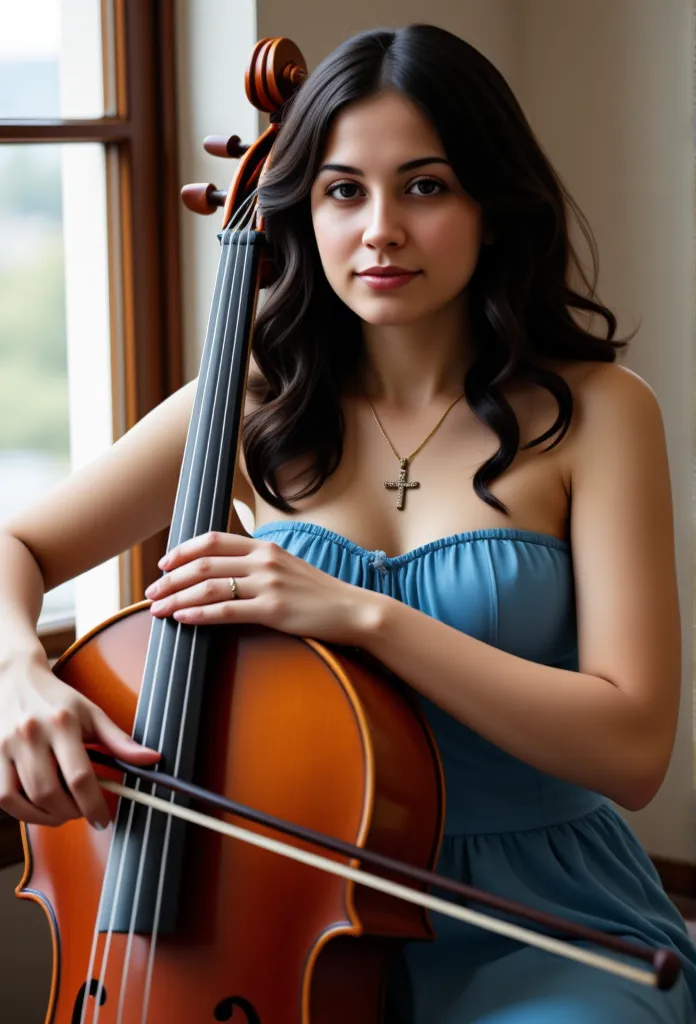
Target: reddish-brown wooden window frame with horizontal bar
(145, 276)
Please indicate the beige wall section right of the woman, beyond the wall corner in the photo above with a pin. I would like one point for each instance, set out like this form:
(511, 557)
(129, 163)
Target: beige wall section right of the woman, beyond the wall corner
(608, 88)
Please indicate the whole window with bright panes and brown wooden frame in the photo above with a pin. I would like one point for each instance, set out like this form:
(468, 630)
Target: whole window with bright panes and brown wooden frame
(90, 259)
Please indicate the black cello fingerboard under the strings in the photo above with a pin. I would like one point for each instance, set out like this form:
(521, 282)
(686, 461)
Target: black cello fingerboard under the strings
(169, 704)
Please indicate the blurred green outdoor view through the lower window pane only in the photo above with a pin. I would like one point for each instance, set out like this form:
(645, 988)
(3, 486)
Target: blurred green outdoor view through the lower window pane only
(34, 425)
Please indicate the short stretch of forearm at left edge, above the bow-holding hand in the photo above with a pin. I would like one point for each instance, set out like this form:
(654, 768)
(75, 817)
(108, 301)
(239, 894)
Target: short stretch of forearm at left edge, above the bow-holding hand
(22, 591)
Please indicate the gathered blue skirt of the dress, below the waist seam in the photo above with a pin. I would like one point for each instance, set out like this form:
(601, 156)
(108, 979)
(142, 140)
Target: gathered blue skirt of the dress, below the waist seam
(592, 871)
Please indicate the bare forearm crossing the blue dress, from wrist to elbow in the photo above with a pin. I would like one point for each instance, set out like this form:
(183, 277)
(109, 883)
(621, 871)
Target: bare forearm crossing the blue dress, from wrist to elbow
(570, 724)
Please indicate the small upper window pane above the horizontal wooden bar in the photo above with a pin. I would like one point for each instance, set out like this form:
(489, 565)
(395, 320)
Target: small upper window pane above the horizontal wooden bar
(52, 60)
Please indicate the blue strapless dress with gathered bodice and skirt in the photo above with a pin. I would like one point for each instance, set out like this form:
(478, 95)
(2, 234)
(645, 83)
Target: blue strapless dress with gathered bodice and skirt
(510, 829)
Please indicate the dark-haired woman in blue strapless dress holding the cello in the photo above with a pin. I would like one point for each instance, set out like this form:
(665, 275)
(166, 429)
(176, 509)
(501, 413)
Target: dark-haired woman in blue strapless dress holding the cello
(519, 577)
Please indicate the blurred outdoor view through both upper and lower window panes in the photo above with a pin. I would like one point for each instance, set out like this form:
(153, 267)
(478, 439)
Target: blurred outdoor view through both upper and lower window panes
(34, 419)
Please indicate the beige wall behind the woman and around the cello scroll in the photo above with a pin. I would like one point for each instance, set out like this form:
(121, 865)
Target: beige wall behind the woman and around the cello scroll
(607, 89)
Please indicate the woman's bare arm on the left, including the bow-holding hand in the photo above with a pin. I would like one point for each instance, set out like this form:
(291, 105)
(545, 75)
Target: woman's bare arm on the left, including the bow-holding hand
(122, 498)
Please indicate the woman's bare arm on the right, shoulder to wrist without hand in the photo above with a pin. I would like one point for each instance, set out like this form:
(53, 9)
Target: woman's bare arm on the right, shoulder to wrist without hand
(610, 728)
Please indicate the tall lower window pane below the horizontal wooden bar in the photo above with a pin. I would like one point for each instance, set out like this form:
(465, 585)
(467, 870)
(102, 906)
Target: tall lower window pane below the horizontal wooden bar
(56, 408)
